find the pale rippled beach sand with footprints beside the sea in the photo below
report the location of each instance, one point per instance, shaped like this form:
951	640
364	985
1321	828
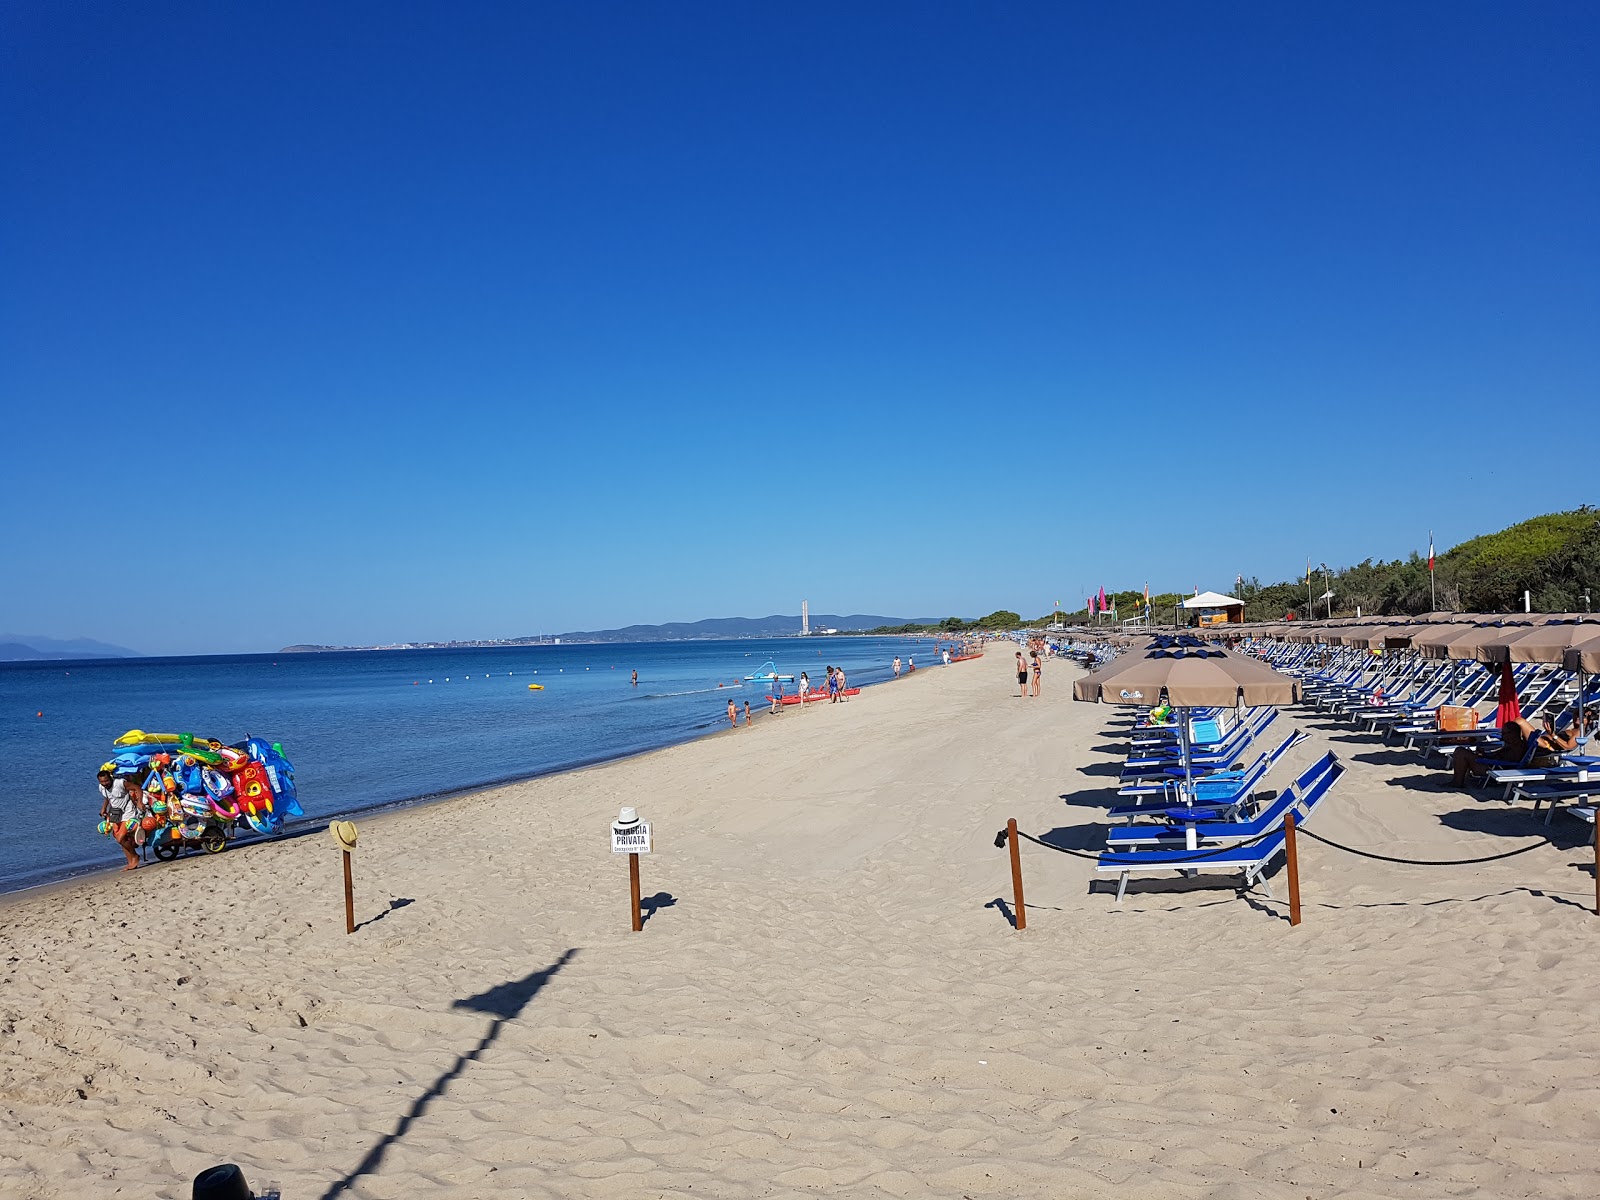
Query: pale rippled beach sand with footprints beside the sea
828	996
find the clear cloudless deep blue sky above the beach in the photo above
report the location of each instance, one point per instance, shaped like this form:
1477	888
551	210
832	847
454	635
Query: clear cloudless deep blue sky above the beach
369	322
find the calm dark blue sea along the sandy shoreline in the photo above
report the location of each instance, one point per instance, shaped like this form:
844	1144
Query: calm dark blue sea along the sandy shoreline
377	729
